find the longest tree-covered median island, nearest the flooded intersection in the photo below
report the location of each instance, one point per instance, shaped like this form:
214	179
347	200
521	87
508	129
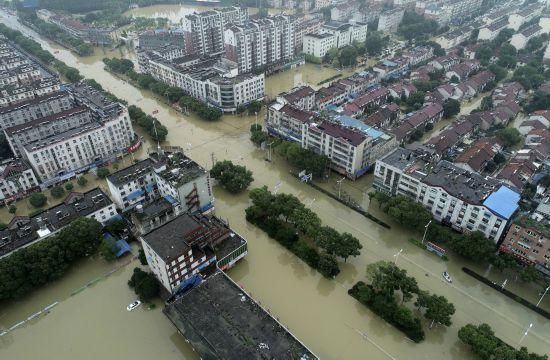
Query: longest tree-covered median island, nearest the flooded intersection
284	218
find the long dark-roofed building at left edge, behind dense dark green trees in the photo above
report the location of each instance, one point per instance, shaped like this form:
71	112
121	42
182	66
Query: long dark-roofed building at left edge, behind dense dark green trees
25	230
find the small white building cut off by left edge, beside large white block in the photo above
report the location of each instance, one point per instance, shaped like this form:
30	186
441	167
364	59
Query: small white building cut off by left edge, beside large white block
16	180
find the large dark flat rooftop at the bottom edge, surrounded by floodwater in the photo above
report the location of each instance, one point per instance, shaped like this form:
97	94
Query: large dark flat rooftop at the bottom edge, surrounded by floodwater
223	322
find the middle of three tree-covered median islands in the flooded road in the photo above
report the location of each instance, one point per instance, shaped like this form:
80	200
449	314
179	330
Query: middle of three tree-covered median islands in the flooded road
388	283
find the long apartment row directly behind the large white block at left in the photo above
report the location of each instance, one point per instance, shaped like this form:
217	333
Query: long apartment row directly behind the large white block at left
20	135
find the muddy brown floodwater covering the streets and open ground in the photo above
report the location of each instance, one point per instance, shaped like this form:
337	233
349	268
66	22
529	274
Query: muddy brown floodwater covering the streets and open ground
94	324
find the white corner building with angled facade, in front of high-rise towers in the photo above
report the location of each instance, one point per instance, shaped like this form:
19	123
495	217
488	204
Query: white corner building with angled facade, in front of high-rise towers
214	82
